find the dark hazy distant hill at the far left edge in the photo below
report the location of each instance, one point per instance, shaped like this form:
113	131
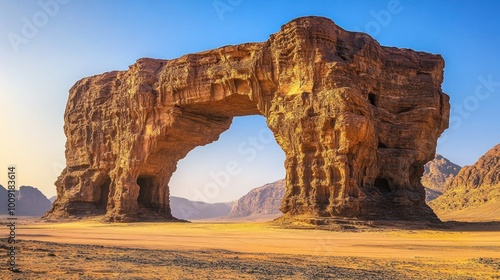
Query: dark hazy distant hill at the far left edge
30	202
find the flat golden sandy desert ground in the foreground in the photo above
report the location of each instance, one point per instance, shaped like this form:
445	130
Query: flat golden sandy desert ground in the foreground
93	250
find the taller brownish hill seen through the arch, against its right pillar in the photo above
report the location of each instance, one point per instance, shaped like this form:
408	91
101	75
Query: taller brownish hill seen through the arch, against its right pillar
265	200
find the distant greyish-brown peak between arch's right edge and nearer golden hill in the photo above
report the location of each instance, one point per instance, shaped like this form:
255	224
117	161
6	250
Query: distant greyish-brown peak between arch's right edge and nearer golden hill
437	173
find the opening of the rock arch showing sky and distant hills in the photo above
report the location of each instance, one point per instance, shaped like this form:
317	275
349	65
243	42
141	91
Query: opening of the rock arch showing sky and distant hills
245	156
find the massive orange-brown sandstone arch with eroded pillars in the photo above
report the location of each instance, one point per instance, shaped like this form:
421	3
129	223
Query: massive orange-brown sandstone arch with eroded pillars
357	122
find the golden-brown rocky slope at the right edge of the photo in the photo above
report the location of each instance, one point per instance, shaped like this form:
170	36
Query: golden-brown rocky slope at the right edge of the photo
473	188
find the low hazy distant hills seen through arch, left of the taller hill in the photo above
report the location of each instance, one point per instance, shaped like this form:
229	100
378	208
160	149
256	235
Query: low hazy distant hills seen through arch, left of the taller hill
186	209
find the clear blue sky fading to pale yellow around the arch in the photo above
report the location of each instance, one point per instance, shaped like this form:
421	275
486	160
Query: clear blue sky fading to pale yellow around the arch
47	45
